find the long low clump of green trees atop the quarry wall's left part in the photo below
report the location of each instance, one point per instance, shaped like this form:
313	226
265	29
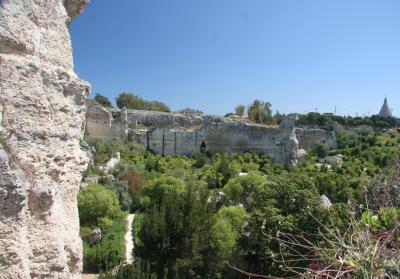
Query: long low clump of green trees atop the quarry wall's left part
132	101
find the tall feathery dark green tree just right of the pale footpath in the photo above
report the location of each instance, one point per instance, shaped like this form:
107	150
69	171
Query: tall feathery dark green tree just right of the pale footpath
175	231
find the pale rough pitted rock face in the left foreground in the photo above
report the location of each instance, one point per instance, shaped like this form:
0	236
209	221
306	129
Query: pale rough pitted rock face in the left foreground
42	113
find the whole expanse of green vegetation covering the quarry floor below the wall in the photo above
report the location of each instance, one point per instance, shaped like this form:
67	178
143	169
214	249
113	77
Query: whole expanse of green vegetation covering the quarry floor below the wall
217	215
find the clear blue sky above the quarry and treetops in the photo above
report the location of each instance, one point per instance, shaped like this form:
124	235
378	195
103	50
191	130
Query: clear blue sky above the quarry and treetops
214	54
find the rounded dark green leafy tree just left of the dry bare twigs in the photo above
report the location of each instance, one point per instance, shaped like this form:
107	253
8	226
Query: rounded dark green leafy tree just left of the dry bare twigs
284	205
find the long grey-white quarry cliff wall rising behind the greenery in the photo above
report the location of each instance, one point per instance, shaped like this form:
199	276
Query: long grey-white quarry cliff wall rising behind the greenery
171	133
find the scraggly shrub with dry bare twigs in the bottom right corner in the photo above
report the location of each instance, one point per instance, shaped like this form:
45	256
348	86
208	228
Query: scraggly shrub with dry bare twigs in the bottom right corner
361	250
